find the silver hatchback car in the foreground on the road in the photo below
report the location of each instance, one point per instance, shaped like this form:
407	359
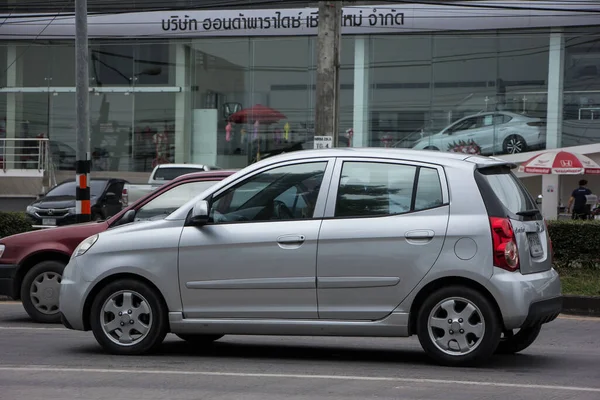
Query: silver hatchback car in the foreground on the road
339	242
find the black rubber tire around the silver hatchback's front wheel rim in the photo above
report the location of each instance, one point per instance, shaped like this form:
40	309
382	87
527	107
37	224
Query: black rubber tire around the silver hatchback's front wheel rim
159	325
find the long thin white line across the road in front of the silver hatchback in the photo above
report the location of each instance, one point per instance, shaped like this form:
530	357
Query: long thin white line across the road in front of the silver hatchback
297	376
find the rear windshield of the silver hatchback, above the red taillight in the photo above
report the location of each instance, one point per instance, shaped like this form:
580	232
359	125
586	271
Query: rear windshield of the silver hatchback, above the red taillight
508	189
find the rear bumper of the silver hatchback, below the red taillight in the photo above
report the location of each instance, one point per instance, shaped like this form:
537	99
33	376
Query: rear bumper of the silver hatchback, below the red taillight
526	299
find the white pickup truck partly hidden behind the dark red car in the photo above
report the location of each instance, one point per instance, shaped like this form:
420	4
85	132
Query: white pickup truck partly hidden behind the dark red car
160	175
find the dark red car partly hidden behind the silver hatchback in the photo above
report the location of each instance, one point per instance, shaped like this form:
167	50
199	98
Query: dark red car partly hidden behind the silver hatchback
31	263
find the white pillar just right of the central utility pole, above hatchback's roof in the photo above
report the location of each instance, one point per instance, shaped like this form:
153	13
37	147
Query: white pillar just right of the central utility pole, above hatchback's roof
362	94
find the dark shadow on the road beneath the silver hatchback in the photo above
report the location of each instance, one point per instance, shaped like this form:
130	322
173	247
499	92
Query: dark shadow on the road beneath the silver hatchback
228	348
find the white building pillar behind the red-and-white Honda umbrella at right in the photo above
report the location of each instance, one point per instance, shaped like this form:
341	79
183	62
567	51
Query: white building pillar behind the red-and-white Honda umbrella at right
556	61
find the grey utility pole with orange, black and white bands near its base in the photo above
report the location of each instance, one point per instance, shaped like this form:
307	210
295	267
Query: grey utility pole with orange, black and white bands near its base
83	163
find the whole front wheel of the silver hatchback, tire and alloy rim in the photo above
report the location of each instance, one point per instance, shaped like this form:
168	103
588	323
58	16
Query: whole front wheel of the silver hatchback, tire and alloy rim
129	317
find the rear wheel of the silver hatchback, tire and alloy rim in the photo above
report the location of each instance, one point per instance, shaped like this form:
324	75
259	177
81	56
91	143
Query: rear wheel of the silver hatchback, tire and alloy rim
458	326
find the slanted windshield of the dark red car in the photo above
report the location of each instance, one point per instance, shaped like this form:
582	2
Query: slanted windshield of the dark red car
169	201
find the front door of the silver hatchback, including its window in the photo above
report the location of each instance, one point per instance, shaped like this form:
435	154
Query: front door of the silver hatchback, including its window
257	256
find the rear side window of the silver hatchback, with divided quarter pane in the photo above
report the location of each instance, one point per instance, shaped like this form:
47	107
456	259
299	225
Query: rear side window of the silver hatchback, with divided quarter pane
378	189
